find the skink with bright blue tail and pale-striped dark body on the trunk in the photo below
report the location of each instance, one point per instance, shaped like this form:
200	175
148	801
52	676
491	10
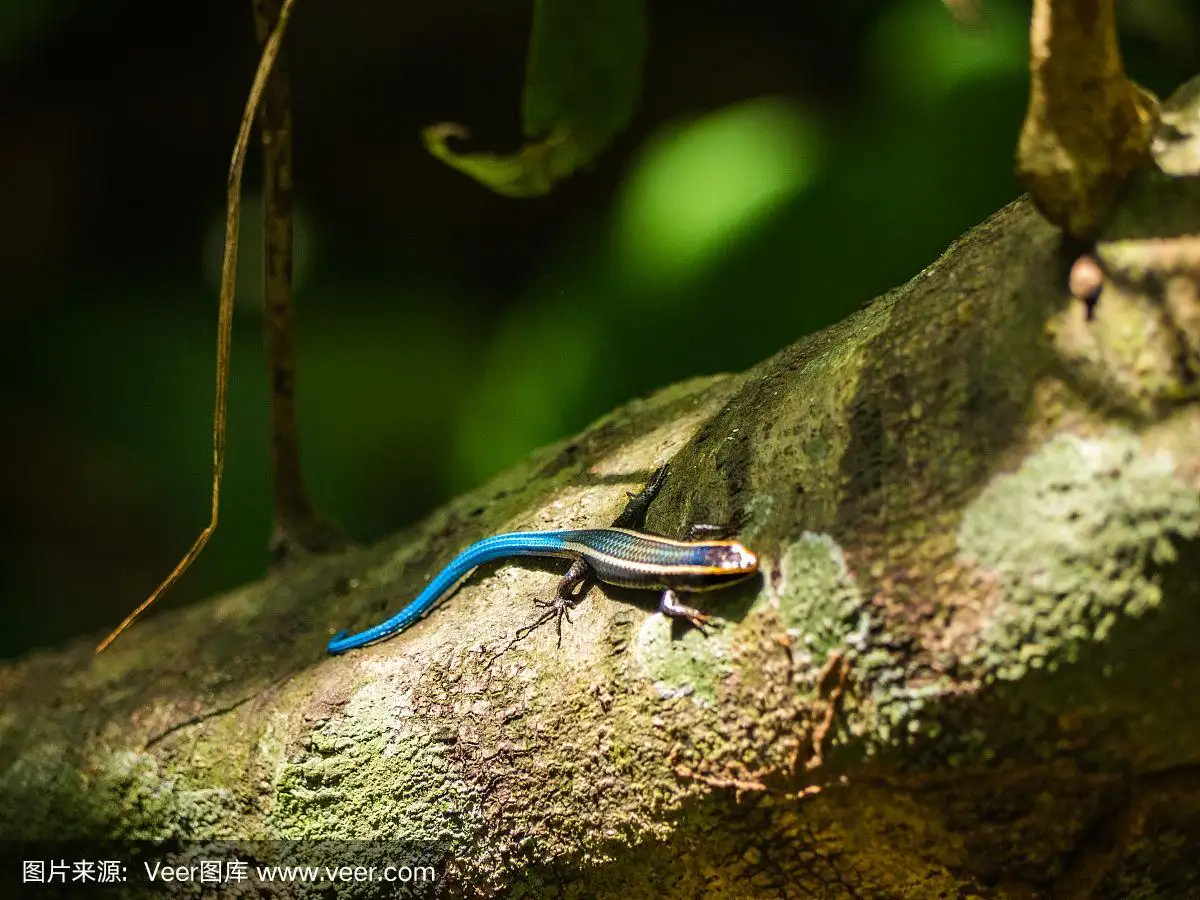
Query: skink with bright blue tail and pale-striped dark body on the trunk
621	555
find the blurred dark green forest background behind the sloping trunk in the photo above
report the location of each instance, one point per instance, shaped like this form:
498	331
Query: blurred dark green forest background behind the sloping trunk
789	163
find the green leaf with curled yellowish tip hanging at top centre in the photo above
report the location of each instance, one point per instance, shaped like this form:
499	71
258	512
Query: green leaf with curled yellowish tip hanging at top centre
583	83
